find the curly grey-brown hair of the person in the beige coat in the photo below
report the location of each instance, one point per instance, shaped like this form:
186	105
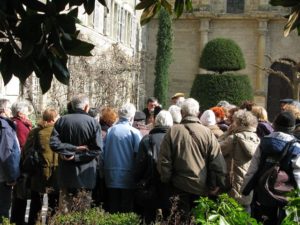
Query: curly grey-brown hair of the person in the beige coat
244	118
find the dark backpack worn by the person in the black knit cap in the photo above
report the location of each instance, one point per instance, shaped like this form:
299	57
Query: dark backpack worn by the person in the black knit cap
274	182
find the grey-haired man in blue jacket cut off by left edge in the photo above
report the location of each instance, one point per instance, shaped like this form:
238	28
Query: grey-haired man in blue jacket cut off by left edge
9	158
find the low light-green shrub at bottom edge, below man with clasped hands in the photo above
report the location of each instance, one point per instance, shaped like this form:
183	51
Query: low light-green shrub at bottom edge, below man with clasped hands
95	216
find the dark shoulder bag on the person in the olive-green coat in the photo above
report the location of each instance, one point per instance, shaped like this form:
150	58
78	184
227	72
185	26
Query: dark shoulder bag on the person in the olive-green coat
32	160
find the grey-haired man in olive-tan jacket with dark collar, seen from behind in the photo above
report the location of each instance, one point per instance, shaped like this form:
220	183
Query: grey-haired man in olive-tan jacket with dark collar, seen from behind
190	156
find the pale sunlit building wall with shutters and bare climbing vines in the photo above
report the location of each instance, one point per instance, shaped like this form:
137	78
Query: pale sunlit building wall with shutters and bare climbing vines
116	34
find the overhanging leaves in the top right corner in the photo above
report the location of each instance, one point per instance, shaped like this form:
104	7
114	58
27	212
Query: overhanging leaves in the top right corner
293	17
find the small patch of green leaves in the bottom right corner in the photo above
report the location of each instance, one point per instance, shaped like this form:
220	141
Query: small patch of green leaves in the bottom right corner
292	209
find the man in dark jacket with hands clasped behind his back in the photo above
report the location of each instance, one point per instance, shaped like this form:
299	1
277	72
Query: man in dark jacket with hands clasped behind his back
77	139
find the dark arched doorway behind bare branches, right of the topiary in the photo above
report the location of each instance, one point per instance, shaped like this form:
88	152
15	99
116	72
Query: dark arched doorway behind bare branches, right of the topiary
278	88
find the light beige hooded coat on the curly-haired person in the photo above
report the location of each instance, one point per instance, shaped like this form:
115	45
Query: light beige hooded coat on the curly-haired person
238	150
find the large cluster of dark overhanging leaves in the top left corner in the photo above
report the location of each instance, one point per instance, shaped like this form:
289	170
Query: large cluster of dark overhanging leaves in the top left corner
38	37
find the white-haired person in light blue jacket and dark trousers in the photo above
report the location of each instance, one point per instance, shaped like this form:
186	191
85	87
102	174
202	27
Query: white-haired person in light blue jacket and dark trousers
121	144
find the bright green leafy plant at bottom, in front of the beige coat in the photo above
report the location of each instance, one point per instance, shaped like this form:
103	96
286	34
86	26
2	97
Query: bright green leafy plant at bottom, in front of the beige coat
223	211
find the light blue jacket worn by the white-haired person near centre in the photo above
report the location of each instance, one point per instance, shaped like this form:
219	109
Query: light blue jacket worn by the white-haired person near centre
121	145
